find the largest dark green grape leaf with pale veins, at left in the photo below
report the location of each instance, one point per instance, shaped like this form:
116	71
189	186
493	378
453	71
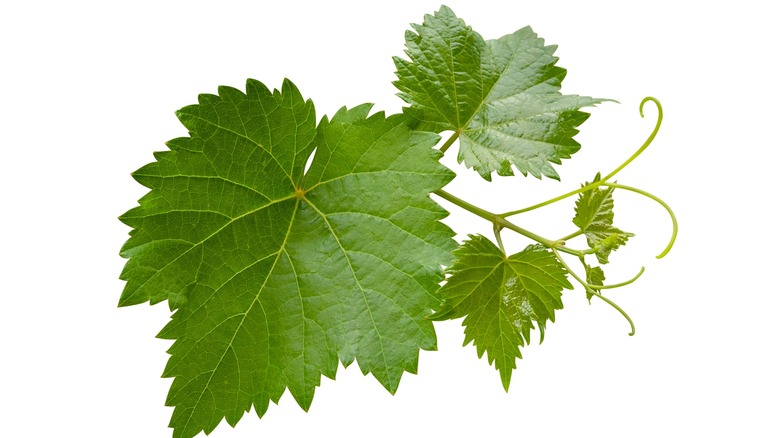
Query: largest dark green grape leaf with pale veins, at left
277	274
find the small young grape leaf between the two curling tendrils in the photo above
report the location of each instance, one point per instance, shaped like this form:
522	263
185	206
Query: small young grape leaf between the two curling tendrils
594	215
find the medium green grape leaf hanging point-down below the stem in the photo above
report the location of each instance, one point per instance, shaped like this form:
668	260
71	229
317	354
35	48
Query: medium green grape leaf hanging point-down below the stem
501	298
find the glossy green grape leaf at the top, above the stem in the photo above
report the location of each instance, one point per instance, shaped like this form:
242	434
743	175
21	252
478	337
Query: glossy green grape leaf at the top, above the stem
501	96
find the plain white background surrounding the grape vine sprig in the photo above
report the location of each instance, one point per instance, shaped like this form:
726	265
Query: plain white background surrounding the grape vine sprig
89	91
